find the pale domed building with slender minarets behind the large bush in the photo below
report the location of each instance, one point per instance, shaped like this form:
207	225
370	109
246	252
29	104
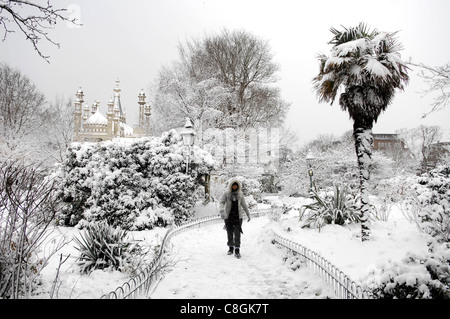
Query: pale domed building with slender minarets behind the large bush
92	126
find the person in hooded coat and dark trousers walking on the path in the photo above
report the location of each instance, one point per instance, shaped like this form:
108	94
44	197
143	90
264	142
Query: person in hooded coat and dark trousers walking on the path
232	205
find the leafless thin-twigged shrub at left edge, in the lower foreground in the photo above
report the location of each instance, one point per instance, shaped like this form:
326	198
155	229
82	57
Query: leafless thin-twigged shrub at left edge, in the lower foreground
28	204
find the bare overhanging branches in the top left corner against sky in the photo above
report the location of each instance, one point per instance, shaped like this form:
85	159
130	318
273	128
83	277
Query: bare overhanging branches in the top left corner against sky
32	19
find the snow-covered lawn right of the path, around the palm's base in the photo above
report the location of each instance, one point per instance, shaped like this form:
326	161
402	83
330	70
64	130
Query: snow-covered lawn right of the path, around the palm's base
390	241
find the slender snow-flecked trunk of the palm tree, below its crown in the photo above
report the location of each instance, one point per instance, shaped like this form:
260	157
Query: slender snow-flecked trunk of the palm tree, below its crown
363	146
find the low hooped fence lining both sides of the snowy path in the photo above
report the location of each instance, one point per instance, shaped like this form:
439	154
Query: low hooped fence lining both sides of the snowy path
140	285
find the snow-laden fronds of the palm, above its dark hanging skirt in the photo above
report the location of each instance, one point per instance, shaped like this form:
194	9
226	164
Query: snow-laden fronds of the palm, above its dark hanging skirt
360	57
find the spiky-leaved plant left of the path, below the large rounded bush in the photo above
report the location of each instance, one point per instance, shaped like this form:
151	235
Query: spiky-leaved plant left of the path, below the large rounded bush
102	246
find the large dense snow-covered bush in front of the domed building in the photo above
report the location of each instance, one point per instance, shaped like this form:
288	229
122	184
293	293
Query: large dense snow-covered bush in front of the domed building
135	184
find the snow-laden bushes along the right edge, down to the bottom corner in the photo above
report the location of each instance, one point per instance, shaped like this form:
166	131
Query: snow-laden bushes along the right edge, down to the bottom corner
426	275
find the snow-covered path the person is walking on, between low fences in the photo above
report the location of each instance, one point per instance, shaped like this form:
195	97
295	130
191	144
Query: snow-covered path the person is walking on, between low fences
203	269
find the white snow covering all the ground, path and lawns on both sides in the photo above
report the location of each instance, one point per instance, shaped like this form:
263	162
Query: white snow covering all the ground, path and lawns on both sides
203	270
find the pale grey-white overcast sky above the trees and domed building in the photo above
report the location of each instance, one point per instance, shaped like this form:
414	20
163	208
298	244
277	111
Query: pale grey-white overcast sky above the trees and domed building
131	41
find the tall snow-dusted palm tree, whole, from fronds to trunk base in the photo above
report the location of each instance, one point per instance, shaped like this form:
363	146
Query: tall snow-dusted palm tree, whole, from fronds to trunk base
365	65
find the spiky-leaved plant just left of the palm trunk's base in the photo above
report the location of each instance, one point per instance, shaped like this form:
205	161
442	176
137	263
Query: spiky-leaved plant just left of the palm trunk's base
337	207
